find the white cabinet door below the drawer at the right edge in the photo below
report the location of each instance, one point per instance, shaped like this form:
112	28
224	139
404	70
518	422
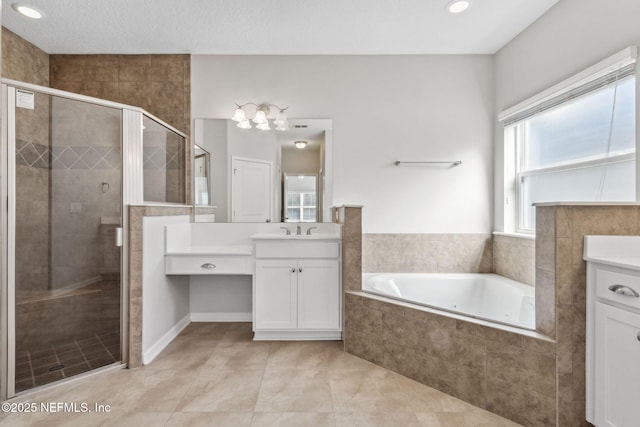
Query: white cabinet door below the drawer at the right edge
617	367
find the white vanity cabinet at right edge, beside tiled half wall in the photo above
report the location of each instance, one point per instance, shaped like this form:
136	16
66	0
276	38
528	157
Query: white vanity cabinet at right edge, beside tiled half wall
613	331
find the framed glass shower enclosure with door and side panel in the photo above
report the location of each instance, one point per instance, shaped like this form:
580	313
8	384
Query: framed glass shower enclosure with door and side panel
65	183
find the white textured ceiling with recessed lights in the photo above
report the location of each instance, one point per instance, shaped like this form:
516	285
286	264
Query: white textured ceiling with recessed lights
273	27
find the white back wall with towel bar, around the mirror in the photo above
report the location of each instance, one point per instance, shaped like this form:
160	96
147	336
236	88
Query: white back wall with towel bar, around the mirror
384	108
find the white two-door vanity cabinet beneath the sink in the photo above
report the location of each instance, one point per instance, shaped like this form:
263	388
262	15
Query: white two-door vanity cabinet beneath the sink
297	298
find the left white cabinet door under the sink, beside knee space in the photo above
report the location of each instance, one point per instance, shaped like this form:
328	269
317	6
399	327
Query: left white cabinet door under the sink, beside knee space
276	294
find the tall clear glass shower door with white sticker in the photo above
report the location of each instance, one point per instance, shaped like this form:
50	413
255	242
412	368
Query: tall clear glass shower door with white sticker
67	211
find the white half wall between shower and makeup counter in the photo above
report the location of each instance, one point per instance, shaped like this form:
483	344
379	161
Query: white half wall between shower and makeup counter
165	306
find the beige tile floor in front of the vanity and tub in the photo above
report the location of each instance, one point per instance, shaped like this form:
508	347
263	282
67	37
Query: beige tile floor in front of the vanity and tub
214	375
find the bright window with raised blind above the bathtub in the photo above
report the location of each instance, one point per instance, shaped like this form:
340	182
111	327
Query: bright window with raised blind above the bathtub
577	146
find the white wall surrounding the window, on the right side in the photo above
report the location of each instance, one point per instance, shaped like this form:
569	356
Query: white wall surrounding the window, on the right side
569	38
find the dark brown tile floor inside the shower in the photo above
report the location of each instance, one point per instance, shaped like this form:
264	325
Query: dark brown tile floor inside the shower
65	359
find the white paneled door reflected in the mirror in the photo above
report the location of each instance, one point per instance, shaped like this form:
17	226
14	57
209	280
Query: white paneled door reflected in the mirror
252	190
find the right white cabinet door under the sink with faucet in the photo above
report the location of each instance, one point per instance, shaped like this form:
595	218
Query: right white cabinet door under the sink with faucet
318	294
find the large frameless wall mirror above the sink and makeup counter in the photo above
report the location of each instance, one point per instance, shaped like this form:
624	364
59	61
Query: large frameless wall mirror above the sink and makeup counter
264	176
